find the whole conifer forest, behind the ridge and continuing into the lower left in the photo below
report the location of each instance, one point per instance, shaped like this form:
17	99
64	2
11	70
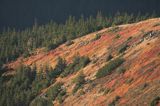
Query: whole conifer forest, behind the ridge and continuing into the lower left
22	88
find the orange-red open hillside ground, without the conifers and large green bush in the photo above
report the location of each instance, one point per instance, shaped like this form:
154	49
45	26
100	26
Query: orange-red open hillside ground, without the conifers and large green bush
138	85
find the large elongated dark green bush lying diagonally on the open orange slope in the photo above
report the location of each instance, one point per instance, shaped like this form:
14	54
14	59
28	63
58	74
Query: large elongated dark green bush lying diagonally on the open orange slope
108	68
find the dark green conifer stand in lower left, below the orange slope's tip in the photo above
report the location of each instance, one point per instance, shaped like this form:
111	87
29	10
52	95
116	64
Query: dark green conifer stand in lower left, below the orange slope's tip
27	83
